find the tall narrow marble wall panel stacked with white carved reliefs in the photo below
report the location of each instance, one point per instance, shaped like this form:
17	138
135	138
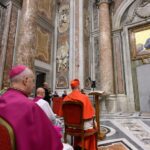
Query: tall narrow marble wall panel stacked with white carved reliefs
62	52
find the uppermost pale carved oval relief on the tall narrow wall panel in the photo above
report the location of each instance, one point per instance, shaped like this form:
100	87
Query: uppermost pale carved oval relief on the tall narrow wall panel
63	22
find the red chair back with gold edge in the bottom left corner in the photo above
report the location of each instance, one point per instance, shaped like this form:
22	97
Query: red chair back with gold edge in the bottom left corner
7	138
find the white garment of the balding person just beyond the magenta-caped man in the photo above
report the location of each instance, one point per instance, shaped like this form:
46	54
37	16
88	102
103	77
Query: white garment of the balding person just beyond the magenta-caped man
48	111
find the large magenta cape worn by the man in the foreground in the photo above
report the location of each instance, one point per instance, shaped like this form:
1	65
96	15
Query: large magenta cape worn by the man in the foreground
33	130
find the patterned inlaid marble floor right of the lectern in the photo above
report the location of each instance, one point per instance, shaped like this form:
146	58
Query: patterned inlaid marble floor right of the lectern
125	131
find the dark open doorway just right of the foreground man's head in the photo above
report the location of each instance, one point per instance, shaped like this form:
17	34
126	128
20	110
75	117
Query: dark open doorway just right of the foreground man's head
40	79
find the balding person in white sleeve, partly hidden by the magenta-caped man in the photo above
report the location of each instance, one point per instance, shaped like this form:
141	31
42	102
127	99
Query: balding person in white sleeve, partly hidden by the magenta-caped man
40	93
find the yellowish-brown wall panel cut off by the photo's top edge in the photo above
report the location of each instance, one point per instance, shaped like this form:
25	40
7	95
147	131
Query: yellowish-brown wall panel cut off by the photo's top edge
46	7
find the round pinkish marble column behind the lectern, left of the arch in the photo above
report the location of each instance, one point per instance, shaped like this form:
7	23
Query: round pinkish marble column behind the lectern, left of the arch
105	45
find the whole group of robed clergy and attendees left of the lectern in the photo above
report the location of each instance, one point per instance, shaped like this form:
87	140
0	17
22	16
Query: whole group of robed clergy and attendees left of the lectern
34	123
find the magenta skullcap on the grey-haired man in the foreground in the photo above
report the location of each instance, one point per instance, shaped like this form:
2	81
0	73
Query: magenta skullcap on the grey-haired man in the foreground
16	70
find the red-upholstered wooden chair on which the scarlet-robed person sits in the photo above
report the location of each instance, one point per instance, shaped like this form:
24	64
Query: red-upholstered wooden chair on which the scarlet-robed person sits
74	122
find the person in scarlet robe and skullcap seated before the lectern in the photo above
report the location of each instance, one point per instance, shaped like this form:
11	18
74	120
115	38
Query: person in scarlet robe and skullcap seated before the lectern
88	113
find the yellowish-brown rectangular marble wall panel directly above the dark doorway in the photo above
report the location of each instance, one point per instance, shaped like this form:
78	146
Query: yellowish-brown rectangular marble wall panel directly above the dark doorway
43	44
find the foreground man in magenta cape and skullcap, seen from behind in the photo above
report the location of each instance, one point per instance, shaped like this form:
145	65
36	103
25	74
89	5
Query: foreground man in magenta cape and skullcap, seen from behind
33	130
